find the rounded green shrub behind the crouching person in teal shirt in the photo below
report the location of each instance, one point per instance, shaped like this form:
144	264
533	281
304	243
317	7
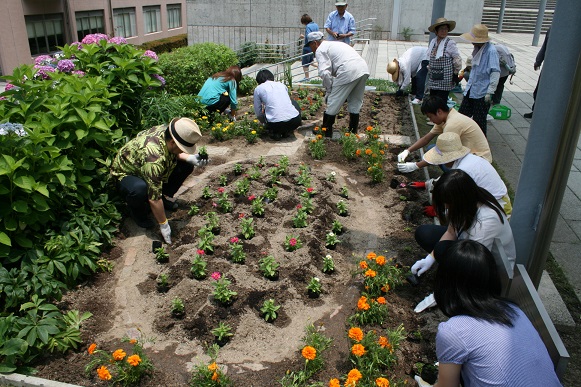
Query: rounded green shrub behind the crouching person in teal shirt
186	69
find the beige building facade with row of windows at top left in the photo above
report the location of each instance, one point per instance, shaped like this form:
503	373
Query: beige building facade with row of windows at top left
29	28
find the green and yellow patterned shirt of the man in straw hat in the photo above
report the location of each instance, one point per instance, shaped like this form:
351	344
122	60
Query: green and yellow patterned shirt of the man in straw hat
147	157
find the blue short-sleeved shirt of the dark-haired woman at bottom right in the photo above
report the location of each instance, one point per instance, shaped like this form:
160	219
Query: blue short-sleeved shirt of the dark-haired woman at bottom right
497	355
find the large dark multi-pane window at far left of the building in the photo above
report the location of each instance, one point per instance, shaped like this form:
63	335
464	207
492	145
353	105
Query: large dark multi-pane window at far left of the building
45	33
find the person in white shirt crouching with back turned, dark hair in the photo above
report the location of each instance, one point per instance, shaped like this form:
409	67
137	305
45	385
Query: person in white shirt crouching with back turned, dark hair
273	106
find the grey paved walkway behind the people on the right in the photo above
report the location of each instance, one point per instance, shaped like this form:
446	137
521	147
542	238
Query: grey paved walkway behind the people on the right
508	140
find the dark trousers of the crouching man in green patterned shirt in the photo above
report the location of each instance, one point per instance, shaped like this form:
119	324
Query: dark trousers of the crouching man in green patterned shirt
134	189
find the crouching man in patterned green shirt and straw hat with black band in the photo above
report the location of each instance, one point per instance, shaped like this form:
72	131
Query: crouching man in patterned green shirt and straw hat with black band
153	166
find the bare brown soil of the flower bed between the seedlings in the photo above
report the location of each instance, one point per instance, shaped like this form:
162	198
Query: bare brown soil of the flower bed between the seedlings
260	353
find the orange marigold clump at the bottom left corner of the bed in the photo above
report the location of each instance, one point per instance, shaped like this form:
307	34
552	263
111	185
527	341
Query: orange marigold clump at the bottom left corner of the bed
119	367
